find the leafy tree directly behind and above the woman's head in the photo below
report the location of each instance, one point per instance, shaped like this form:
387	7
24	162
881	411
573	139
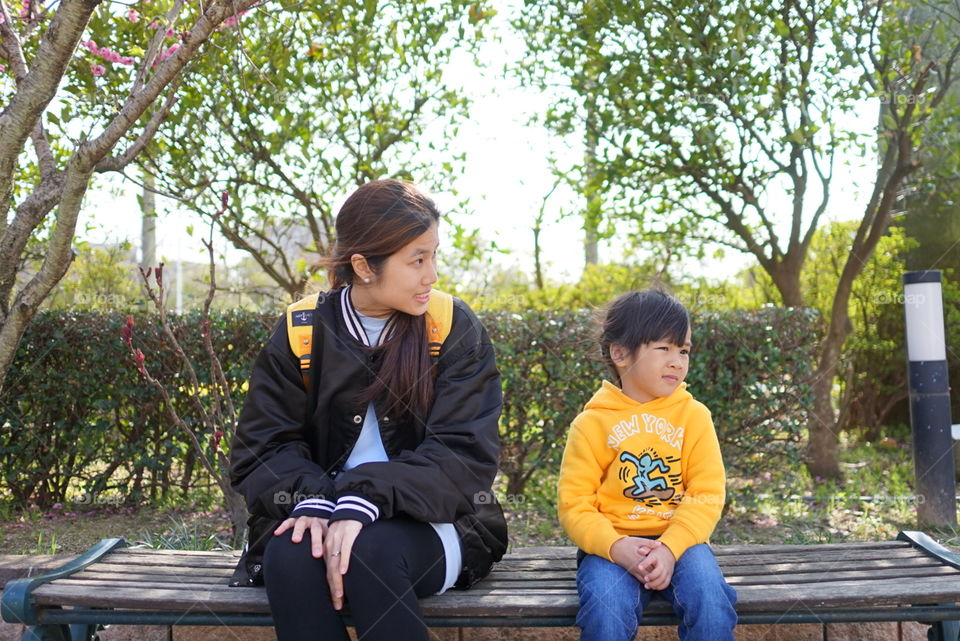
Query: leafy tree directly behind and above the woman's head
327	98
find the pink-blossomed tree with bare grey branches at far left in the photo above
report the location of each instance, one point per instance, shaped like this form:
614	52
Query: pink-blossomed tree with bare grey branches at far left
67	113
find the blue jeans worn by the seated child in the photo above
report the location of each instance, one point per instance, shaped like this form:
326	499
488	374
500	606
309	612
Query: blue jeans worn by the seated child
612	600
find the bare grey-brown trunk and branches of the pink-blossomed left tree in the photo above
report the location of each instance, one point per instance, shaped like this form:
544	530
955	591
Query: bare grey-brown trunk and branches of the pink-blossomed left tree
67	188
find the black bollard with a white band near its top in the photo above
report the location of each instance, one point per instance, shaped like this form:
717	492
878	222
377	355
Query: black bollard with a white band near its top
929	399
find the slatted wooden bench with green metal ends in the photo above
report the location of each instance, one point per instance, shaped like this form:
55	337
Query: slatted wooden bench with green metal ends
910	579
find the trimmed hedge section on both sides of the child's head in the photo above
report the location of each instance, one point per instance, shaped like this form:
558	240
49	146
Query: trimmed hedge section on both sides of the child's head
752	370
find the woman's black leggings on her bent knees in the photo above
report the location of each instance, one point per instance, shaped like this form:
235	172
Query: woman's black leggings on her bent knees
393	562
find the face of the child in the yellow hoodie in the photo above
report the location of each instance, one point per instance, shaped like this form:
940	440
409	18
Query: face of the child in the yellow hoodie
655	370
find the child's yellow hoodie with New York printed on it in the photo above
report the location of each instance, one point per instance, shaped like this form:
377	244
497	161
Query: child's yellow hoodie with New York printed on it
642	469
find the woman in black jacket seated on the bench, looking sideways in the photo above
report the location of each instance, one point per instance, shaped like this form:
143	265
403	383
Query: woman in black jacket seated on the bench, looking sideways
374	471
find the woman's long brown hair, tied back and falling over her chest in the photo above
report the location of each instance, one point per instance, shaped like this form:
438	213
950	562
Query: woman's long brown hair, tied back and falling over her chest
376	221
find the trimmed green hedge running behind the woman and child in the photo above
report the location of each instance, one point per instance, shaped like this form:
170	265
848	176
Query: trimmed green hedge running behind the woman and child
78	421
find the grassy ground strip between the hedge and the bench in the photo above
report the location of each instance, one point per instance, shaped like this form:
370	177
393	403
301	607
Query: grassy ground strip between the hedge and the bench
874	501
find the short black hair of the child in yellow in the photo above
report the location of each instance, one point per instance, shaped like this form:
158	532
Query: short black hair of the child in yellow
642	317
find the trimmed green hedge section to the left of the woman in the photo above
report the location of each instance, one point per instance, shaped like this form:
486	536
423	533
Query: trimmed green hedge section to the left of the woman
79	423
